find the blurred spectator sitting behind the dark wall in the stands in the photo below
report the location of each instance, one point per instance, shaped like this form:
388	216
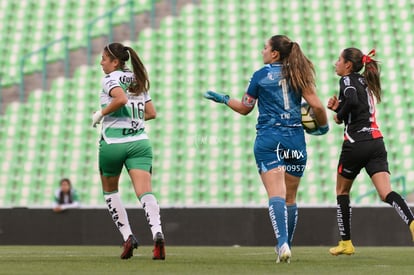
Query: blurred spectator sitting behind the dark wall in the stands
65	196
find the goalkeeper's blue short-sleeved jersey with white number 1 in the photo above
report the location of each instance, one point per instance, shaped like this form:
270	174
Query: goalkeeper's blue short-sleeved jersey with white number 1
279	105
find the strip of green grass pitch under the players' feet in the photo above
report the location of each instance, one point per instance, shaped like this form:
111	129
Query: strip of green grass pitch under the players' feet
202	260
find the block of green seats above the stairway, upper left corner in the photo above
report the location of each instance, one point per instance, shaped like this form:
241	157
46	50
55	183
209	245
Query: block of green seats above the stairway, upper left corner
28	25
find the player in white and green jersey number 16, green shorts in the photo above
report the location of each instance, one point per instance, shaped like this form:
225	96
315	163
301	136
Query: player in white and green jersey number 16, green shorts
125	105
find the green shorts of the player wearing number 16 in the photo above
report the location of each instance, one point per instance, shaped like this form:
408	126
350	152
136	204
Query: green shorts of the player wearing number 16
134	155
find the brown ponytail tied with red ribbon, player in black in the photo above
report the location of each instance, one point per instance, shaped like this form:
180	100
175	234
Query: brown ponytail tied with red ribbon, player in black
371	72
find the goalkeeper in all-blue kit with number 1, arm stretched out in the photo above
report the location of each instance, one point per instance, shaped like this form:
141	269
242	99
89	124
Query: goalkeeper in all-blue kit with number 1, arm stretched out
280	147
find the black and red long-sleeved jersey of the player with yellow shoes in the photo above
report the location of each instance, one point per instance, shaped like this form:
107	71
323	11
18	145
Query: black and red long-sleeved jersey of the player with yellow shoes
357	109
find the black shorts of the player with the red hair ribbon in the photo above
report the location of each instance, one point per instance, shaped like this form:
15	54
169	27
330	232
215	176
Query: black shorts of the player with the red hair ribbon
368	154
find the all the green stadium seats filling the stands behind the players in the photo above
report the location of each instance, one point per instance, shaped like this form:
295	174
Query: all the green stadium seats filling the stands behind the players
203	153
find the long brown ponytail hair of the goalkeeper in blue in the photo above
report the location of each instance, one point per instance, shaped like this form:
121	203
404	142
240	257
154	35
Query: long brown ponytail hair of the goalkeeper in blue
297	68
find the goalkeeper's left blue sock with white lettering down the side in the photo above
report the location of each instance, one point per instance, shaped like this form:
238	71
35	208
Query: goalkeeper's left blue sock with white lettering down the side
278	218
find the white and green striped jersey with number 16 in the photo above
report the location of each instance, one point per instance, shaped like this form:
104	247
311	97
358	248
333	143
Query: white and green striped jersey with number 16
127	123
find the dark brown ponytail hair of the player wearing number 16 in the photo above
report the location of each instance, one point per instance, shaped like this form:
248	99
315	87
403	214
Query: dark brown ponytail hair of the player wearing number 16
122	53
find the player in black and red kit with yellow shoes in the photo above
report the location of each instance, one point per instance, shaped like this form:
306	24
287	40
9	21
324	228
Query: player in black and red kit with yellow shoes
363	145
